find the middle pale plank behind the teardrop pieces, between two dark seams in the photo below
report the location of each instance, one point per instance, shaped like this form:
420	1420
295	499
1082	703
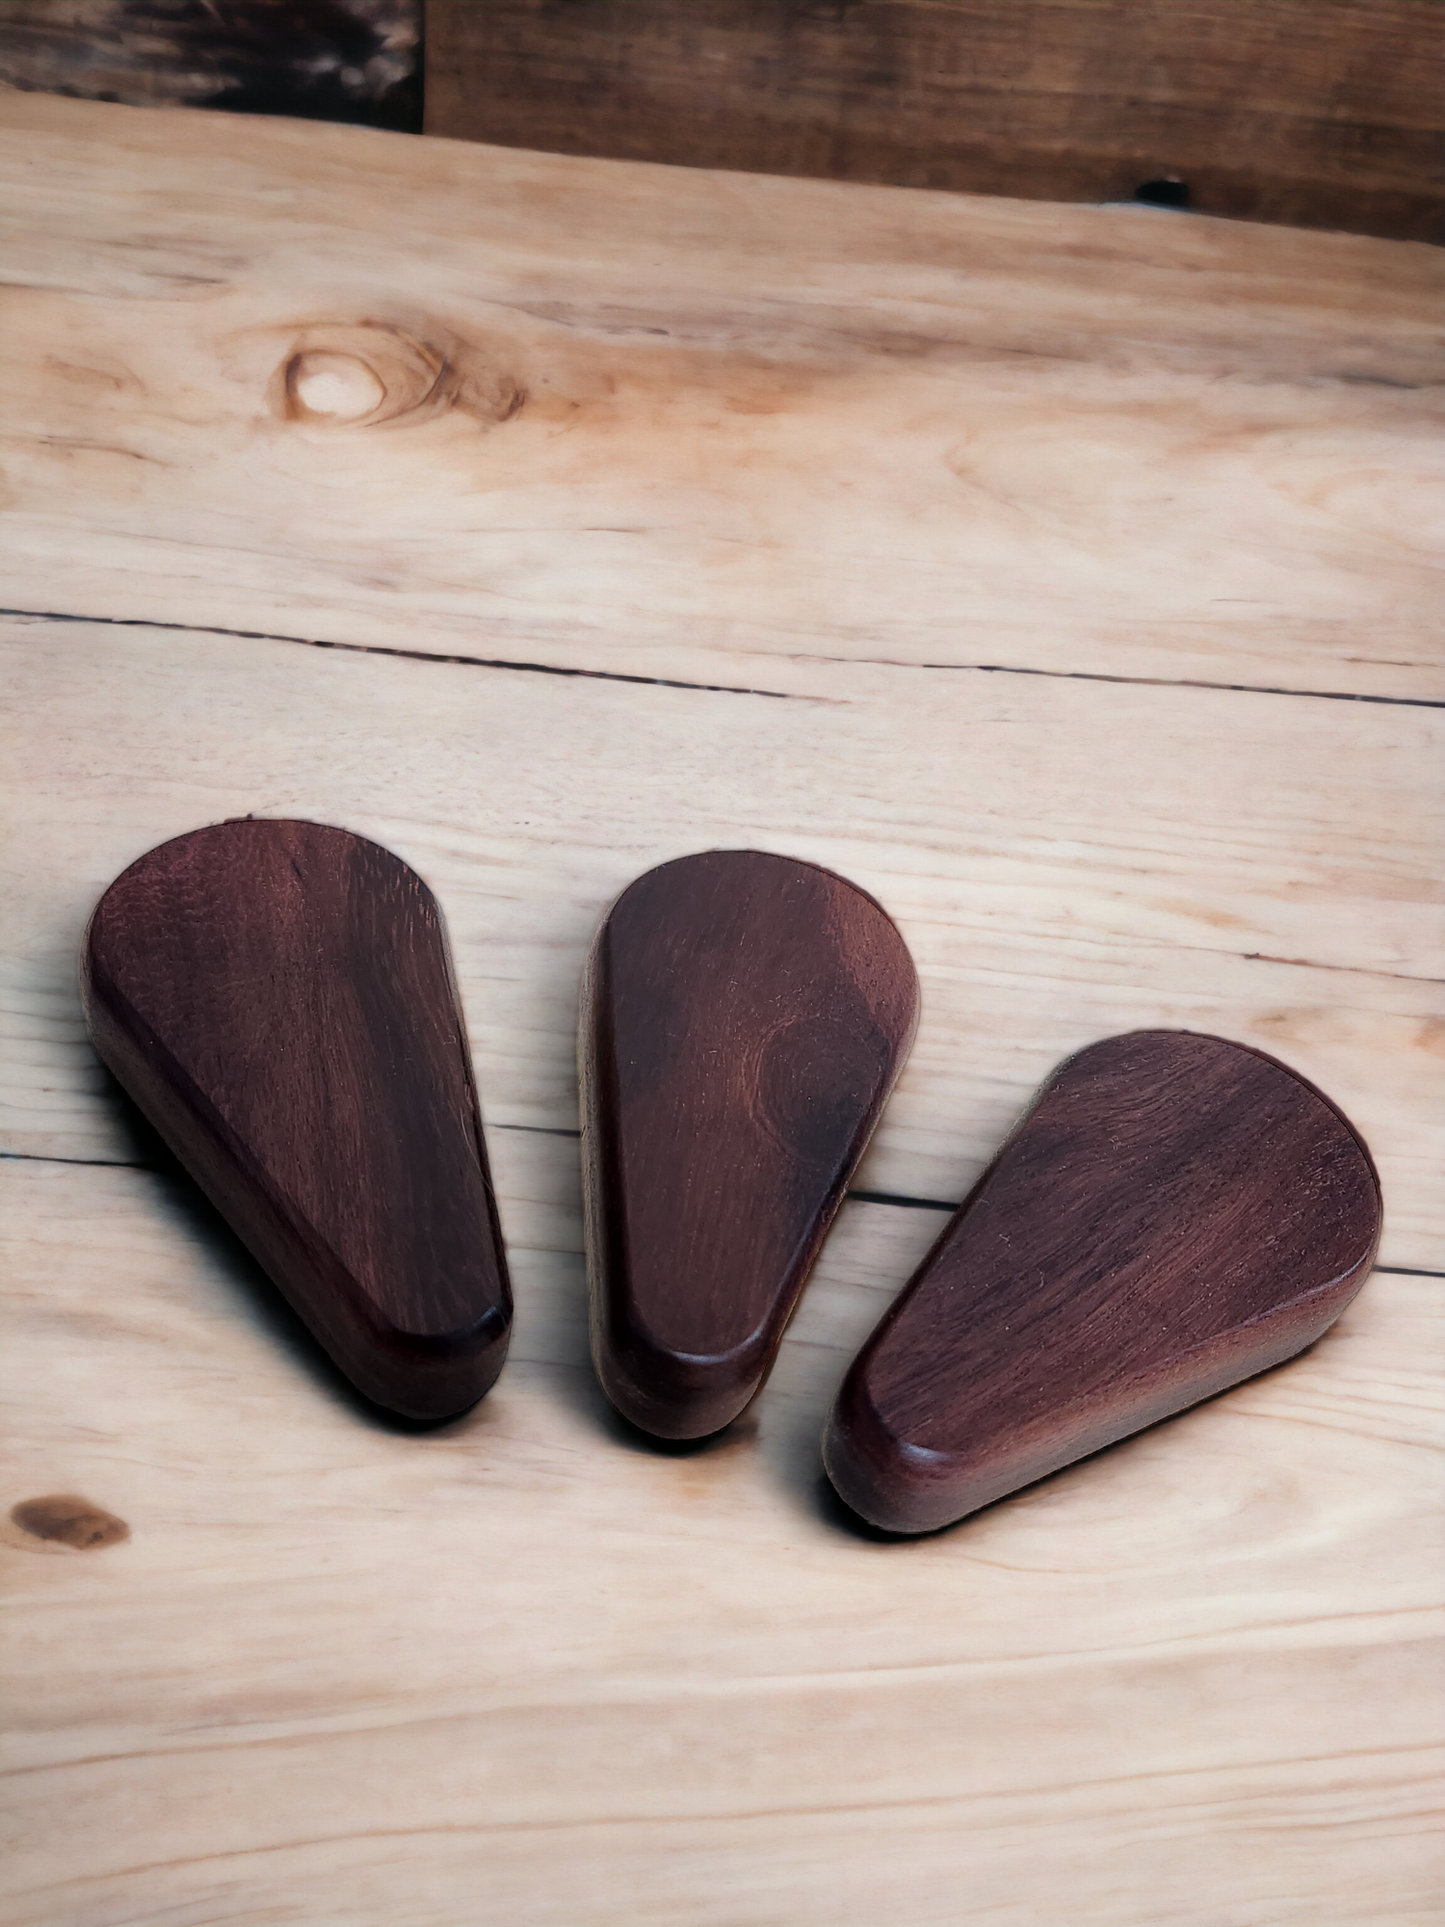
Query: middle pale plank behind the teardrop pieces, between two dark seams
1066	860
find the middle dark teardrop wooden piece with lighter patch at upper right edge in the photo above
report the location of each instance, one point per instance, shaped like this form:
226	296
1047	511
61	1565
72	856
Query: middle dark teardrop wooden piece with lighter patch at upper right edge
743	1022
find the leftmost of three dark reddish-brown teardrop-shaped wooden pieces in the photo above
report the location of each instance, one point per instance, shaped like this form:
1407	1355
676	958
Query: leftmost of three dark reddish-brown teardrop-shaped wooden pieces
278	1001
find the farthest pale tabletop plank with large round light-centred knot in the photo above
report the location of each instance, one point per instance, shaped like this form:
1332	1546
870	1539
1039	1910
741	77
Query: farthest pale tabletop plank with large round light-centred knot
706	427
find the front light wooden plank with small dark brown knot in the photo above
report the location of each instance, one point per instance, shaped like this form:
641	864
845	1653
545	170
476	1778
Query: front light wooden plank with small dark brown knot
525	1672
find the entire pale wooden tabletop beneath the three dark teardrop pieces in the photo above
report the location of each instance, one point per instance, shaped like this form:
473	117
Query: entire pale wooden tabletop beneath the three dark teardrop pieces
527	1672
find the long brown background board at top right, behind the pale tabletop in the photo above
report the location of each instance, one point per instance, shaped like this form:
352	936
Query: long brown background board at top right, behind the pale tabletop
1319	117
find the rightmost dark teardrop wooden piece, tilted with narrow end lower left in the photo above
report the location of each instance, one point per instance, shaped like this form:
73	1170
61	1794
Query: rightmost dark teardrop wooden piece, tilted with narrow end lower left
1174	1215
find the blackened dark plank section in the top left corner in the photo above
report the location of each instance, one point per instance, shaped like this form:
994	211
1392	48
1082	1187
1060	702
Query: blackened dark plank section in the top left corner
350	61
